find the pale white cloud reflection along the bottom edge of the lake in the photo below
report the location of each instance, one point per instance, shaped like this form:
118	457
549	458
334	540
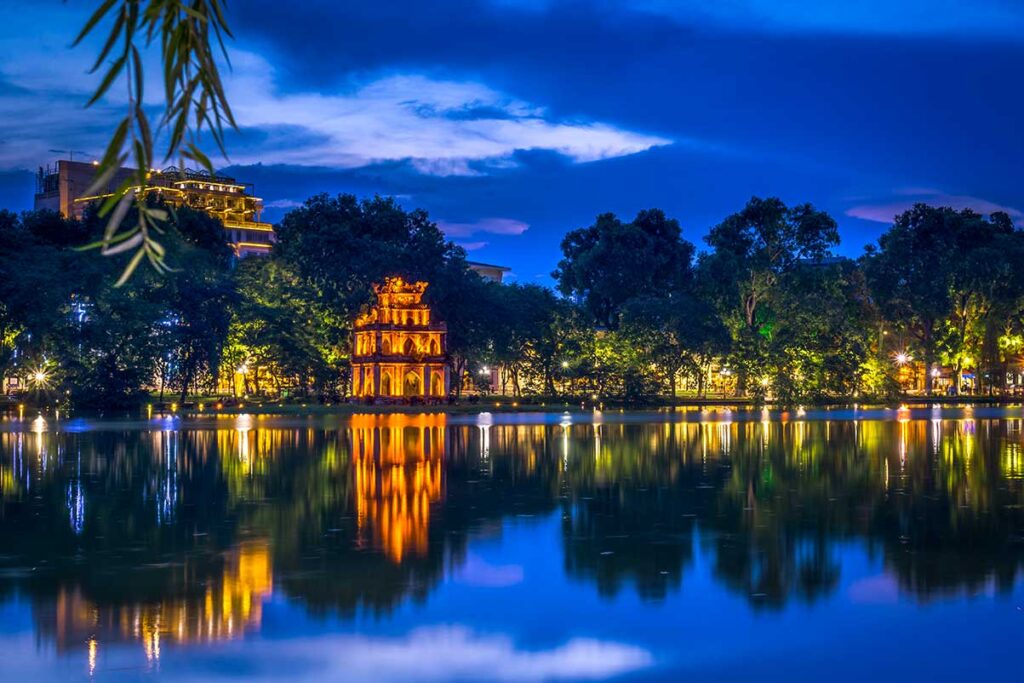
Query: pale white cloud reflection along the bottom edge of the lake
430	655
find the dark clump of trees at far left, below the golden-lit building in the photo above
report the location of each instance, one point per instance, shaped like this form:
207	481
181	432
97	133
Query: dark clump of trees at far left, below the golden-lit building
105	345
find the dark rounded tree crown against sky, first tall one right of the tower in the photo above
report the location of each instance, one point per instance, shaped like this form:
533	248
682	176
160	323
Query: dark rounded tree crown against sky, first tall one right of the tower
609	264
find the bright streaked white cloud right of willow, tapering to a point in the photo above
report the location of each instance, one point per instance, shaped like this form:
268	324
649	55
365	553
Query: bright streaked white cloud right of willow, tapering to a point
442	127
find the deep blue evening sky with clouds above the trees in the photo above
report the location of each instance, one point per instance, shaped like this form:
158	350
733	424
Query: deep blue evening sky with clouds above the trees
516	121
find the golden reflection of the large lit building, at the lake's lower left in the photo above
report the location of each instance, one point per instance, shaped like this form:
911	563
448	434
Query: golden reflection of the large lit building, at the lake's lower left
227	609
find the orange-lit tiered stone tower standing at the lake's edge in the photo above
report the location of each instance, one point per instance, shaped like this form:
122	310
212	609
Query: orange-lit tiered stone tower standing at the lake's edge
399	352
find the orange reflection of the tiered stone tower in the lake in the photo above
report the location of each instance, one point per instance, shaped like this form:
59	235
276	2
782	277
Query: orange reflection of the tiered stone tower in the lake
399	464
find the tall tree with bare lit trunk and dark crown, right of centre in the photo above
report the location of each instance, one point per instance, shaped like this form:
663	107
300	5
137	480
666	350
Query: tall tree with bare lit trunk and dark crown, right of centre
753	249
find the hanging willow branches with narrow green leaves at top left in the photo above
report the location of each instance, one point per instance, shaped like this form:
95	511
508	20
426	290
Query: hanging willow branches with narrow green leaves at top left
194	103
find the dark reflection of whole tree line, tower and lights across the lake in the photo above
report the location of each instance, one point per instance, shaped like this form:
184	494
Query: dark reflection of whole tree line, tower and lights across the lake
170	537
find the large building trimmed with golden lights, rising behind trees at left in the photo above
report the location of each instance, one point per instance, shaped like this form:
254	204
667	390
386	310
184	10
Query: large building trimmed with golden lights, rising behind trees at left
63	188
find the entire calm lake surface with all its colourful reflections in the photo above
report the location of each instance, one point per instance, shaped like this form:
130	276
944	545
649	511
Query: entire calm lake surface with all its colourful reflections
709	546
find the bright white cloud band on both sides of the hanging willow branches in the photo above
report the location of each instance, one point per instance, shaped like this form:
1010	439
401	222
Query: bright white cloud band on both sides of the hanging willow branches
439	127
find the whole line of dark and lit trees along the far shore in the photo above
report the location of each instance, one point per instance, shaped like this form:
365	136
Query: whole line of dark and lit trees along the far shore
764	309
